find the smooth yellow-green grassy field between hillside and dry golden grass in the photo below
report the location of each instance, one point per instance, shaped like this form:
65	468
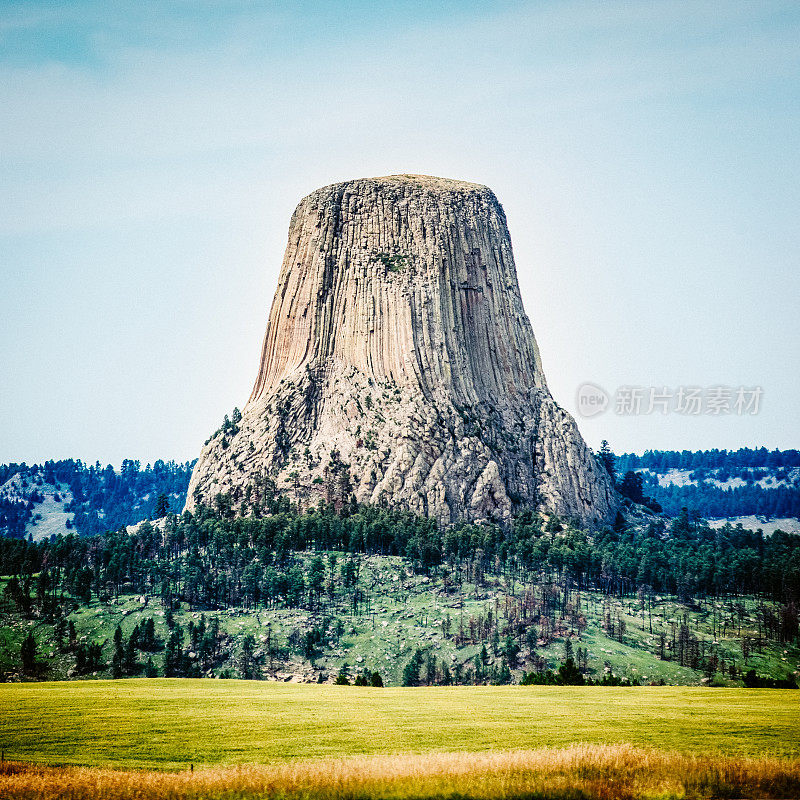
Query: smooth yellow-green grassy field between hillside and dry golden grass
169	724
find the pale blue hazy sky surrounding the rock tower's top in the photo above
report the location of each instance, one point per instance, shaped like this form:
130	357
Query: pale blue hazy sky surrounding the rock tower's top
647	155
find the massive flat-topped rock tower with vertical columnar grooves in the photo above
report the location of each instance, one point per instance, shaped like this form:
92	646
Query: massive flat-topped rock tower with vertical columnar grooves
399	366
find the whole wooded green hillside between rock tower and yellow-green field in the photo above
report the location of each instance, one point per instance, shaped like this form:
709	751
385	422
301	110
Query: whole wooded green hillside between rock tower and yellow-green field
306	597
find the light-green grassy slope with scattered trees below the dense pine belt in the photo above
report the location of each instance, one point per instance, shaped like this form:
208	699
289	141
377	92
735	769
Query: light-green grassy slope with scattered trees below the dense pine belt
383	637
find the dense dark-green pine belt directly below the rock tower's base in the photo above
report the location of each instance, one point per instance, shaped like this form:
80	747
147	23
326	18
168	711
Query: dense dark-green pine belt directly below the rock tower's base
211	560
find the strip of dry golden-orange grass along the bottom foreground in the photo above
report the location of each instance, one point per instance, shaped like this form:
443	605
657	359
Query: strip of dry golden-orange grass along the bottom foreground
580	772
